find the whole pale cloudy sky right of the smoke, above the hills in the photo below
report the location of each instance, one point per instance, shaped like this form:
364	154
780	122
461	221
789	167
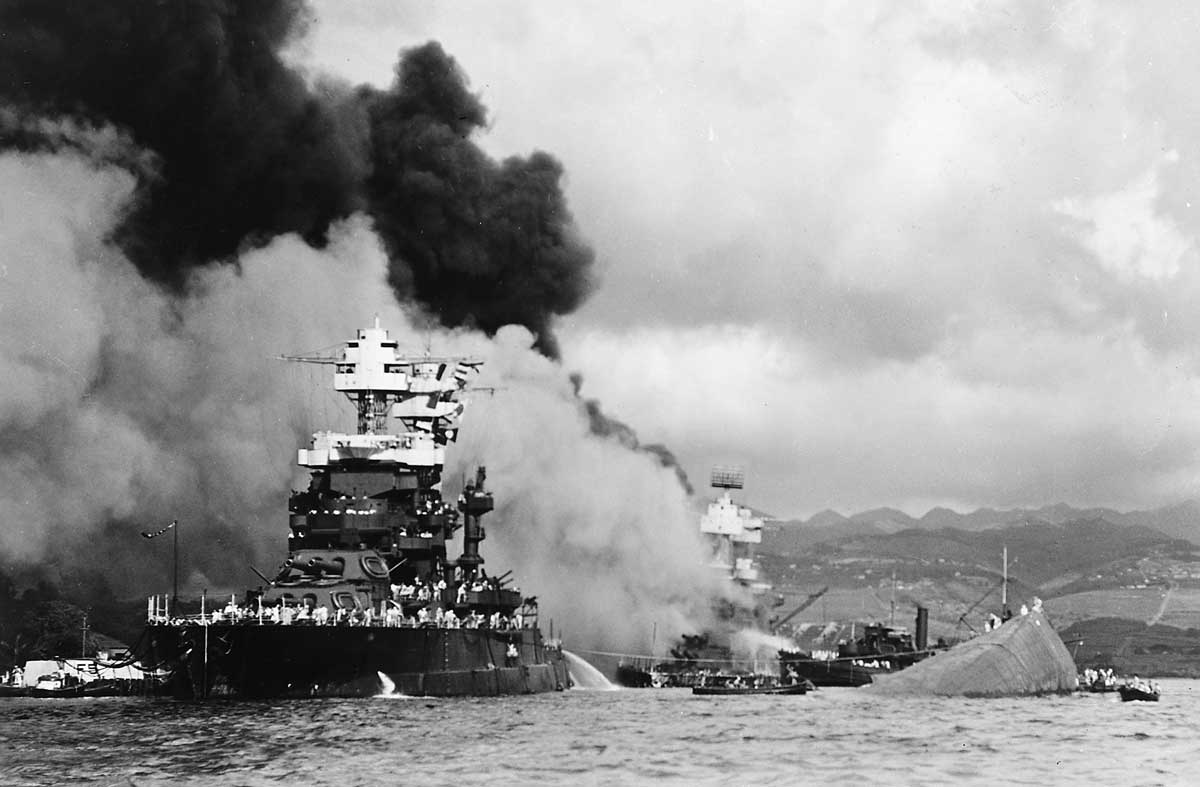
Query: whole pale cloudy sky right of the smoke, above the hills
931	255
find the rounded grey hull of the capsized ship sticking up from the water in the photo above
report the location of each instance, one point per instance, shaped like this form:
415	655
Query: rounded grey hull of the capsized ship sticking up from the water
1024	657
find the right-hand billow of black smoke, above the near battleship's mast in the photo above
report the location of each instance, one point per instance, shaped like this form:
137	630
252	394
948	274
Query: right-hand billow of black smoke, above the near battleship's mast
481	242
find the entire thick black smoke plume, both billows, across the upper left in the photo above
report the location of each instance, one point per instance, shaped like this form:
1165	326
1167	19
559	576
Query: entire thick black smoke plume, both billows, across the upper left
245	151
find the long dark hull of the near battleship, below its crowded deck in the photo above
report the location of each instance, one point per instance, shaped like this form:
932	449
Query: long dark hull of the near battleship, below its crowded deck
253	662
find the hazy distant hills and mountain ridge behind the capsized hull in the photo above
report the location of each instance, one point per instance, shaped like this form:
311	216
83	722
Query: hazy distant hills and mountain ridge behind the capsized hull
1084	563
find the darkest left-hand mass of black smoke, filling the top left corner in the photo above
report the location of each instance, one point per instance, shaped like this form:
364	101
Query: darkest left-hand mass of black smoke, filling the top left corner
245	152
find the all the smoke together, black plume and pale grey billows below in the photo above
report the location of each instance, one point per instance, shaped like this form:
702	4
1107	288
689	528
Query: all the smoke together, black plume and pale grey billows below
178	208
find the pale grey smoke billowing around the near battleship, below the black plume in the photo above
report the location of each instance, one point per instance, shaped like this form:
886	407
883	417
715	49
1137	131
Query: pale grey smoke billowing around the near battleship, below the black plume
124	407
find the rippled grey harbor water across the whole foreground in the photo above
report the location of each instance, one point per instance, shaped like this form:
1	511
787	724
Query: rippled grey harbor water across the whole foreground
597	737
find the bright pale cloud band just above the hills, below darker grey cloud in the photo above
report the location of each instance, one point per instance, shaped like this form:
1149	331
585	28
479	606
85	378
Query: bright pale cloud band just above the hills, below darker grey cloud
1015	416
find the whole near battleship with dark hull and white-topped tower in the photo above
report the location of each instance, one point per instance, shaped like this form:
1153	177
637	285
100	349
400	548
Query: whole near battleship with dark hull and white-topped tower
369	599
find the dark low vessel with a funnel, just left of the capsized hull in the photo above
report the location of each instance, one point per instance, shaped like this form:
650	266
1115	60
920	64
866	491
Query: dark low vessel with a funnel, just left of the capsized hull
883	650
